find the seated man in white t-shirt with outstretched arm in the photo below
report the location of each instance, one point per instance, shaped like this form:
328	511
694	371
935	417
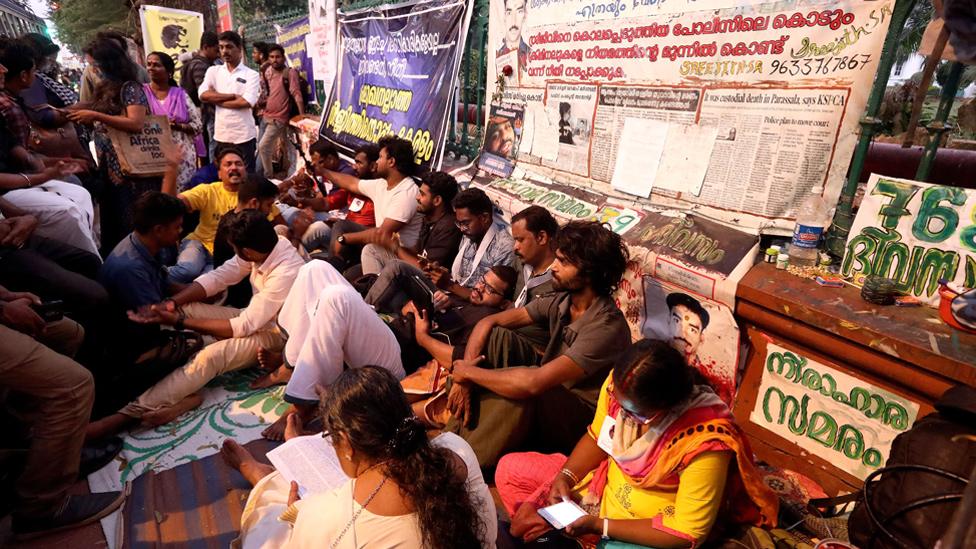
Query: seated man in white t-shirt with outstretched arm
394	195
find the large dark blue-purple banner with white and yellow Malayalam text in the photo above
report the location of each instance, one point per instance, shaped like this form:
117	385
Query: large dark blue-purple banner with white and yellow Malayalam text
397	72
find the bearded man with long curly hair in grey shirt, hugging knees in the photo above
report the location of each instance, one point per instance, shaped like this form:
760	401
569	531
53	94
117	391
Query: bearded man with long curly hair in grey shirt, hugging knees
503	393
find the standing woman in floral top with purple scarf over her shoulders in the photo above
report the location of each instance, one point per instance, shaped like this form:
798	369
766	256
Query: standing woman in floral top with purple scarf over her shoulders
167	99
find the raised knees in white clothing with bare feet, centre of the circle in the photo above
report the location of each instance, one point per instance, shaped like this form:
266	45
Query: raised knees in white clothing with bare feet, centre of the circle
329	328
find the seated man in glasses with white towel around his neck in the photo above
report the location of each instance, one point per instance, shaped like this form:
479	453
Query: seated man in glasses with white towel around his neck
483	246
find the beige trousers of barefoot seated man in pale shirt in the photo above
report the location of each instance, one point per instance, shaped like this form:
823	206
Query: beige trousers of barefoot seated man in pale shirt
213	360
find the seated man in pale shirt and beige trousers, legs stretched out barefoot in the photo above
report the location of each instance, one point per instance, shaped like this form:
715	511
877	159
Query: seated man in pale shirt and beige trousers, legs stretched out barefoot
273	265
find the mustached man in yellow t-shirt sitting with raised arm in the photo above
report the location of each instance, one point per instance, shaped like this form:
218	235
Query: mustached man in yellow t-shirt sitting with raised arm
212	200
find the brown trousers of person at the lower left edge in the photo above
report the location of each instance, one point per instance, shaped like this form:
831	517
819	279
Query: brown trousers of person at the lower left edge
54	394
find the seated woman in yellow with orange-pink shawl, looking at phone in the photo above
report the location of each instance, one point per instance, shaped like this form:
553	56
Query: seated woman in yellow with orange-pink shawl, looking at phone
662	458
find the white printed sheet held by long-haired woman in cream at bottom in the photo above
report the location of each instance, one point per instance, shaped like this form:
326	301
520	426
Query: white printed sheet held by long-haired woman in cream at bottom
310	461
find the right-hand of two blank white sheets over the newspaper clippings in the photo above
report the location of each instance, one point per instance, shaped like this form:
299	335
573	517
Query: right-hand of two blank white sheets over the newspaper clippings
687	150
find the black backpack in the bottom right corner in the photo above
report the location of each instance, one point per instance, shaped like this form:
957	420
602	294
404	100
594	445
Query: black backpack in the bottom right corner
911	501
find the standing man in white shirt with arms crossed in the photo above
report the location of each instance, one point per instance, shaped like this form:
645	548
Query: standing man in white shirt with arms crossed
234	89
